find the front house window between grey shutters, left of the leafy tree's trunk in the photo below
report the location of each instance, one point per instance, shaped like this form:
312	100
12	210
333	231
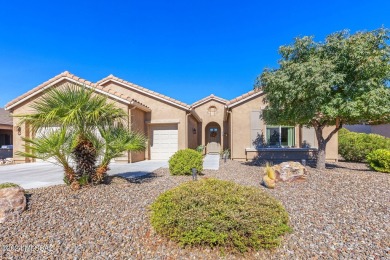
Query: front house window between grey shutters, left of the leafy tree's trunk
281	136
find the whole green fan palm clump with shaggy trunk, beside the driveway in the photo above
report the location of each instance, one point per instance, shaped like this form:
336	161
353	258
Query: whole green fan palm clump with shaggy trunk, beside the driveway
91	132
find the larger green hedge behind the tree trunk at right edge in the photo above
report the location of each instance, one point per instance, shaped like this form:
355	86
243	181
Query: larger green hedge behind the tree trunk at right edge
355	146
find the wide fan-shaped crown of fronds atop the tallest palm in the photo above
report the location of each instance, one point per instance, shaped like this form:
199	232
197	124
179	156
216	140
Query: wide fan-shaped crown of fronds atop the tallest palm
72	105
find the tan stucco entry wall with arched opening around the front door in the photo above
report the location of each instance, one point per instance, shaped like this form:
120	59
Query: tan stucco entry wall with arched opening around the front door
202	111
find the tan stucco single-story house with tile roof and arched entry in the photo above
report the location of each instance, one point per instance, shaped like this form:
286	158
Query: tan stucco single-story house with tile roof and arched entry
171	125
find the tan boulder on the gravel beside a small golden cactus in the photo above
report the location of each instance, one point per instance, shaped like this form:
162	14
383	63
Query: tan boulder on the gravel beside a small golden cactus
290	171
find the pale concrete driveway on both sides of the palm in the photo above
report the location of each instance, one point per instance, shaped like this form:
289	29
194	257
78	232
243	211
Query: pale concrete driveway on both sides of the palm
42	174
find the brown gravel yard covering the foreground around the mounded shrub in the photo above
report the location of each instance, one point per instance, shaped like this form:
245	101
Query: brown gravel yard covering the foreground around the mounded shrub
342	212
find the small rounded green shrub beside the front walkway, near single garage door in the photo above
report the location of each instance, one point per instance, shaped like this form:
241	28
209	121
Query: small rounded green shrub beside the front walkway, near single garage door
183	161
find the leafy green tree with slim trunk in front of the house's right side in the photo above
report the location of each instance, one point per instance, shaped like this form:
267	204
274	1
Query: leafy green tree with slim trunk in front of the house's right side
343	80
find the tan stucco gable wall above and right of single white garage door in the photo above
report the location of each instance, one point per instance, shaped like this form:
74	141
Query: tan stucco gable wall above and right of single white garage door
161	111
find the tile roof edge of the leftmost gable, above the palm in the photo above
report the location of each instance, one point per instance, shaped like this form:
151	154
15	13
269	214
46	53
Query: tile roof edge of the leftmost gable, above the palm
67	75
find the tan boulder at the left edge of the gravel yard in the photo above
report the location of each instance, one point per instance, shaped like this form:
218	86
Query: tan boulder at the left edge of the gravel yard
12	203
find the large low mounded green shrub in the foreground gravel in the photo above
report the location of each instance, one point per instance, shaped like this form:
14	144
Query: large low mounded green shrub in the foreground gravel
219	214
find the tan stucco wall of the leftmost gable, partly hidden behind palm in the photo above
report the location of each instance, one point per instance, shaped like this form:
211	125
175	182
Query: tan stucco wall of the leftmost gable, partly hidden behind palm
25	108
